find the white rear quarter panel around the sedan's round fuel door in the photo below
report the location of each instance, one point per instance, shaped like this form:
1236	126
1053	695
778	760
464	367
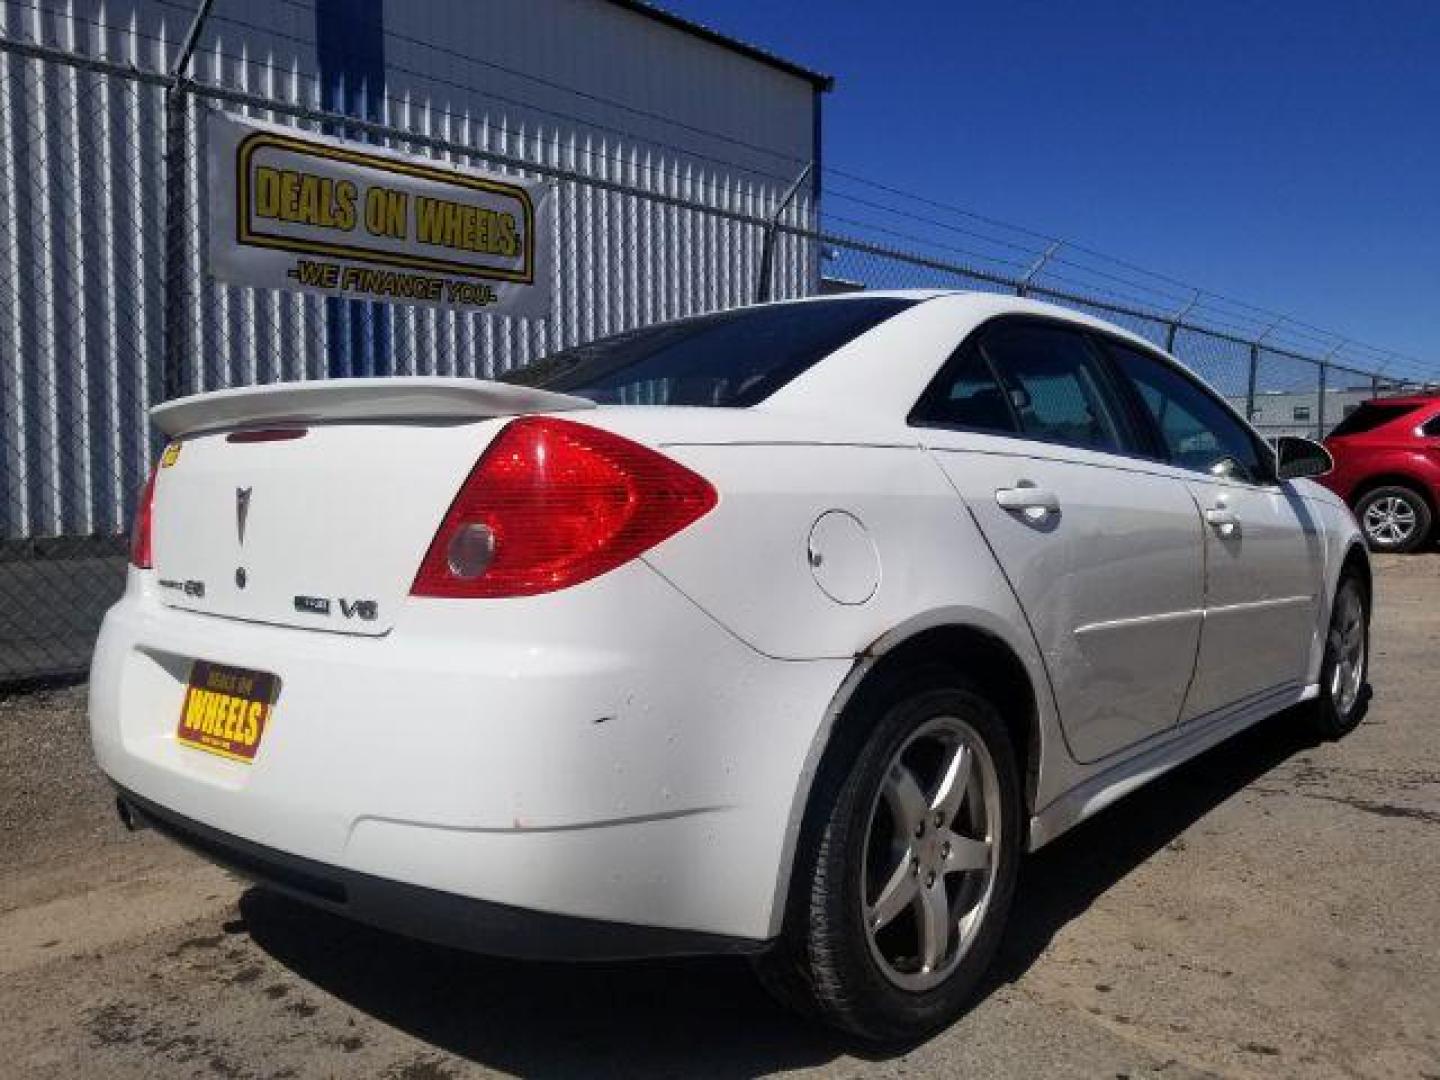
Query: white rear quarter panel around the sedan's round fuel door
748	564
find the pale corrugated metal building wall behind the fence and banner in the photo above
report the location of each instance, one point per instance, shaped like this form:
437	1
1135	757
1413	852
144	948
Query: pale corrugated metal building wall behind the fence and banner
580	86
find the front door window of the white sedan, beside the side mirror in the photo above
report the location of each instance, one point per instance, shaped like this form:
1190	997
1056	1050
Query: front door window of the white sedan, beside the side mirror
1199	431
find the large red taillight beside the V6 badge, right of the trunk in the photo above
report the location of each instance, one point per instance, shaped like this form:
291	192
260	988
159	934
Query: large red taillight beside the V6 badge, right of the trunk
552	505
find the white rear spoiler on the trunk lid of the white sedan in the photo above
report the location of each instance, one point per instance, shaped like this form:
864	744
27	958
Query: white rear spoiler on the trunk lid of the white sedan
411	398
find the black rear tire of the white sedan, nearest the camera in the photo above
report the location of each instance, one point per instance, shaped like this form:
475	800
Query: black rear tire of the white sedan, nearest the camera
824	966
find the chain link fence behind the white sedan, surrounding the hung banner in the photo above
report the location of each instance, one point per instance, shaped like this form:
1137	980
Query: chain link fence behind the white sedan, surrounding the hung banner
106	307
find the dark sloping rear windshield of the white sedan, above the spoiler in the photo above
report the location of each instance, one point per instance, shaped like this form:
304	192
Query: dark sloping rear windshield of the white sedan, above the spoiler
731	359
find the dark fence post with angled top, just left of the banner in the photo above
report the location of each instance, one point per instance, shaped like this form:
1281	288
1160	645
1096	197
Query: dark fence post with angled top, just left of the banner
176	161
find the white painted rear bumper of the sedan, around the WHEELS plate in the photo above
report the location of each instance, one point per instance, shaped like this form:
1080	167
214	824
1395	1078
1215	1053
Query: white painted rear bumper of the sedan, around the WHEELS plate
614	758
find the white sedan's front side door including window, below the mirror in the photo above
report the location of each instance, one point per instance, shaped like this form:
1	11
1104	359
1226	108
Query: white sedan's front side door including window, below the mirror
1264	549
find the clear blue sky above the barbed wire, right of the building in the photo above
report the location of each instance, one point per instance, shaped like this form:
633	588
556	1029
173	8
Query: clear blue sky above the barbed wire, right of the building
1287	153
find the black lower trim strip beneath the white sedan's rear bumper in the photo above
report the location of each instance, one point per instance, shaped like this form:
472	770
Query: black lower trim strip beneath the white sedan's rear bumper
427	914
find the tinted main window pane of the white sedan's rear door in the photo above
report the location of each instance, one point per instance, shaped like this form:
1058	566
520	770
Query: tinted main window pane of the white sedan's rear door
1056	385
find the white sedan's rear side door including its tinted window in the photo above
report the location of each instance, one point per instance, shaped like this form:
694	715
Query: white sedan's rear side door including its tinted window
1104	555
